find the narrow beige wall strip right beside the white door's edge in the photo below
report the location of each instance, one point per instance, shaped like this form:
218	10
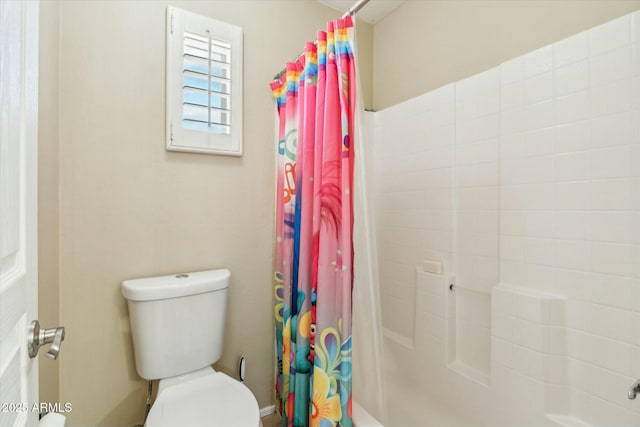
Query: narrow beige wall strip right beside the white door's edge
48	186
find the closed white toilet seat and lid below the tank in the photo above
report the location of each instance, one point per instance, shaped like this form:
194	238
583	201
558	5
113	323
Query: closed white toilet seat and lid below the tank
210	400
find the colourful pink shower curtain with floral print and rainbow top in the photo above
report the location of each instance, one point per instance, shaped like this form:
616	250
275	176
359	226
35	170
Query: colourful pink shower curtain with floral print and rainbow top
313	271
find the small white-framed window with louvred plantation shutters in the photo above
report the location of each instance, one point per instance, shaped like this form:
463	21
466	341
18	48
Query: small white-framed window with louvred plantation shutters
204	84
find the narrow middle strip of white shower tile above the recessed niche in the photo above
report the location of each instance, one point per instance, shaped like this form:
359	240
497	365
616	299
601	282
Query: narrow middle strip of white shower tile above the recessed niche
477	175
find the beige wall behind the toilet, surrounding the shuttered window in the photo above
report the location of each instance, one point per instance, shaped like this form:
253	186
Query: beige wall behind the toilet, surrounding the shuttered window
115	205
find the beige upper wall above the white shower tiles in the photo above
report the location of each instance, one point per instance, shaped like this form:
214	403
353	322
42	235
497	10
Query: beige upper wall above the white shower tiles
426	44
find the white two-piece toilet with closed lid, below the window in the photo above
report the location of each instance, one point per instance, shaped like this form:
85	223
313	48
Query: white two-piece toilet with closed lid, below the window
177	324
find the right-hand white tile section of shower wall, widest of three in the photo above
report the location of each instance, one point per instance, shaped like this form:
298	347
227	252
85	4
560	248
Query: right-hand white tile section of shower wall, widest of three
589	239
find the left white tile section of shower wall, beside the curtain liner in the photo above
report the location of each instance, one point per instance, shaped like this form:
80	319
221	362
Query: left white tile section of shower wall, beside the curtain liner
413	180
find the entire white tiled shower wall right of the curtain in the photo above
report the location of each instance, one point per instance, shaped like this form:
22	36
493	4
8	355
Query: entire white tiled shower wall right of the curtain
527	175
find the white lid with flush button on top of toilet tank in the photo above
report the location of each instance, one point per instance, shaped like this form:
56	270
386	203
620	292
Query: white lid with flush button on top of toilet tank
175	285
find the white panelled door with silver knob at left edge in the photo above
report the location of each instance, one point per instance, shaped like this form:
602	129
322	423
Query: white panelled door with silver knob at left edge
18	209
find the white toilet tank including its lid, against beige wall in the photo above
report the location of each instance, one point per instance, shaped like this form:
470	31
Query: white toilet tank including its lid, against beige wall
177	321
